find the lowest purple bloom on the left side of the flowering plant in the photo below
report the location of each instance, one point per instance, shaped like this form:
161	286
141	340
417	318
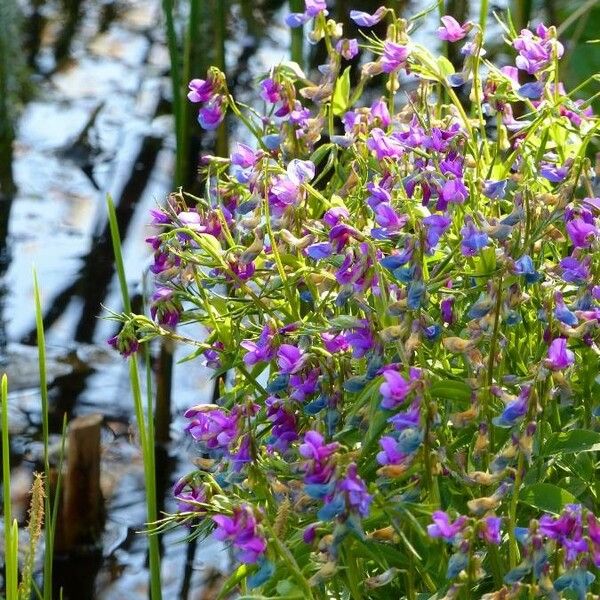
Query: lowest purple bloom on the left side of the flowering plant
242	531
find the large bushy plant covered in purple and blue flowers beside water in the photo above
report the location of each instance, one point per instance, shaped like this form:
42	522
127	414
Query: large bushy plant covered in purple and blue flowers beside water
401	303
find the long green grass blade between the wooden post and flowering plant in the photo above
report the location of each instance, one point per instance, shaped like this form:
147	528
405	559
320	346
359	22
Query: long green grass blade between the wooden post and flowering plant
144	417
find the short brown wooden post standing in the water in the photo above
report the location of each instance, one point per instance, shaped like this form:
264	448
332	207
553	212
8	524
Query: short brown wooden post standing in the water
82	512
